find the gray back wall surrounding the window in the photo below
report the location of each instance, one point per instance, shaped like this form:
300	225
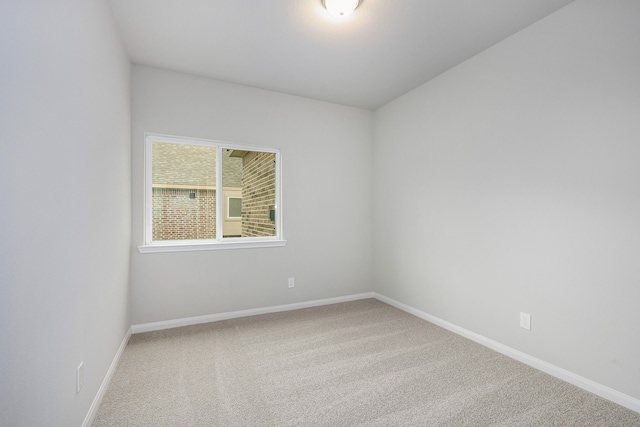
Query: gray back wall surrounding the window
327	181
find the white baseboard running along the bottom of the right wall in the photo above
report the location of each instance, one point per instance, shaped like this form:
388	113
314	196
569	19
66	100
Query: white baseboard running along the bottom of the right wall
577	380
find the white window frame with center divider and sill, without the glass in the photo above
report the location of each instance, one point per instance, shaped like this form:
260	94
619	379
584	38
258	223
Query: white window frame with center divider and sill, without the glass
220	242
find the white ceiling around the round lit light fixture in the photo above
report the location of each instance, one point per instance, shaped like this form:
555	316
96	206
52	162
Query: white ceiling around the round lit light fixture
385	49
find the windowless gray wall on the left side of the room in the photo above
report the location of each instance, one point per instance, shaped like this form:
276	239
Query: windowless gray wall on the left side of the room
64	206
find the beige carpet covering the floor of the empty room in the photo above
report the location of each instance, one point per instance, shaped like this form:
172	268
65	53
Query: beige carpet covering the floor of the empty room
361	363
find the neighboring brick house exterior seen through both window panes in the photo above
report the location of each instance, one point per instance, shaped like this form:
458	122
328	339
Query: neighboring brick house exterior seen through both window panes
184	192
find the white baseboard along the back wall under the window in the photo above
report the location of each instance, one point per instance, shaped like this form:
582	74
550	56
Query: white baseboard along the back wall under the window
168	324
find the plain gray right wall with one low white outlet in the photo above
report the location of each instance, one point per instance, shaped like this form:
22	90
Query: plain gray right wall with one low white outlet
512	183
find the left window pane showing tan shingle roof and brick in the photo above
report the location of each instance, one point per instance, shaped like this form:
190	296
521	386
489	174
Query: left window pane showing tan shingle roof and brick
183	191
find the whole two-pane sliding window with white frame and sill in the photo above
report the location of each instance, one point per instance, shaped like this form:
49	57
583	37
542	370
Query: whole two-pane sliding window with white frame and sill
210	195
